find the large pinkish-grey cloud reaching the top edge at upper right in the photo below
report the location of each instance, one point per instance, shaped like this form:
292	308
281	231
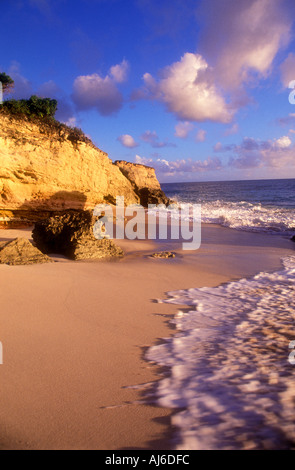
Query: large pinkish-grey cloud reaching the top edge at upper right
245	39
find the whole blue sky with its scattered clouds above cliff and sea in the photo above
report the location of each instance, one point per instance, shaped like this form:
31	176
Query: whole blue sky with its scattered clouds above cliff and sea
197	89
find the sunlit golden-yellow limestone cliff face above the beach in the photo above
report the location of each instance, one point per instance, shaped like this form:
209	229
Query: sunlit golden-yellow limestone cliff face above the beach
42	171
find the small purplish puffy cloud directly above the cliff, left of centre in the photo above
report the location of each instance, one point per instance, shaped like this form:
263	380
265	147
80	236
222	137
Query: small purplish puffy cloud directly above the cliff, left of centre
100	93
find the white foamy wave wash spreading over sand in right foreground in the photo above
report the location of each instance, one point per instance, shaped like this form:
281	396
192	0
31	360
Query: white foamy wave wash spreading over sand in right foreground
229	366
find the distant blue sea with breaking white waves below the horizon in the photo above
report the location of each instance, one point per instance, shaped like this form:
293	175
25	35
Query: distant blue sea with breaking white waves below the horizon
257	206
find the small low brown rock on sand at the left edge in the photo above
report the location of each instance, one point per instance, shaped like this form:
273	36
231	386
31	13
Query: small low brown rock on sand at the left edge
21	252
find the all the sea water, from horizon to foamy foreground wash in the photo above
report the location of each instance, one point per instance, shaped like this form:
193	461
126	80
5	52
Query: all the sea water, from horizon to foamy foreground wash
231	382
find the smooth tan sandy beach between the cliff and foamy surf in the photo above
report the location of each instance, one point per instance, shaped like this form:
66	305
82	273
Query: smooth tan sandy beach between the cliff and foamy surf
74	337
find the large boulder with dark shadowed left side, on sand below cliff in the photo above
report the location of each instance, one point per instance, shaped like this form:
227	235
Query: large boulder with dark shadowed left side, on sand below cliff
71	234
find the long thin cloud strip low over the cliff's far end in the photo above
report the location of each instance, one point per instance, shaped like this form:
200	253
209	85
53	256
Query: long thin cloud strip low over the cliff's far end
180	167
